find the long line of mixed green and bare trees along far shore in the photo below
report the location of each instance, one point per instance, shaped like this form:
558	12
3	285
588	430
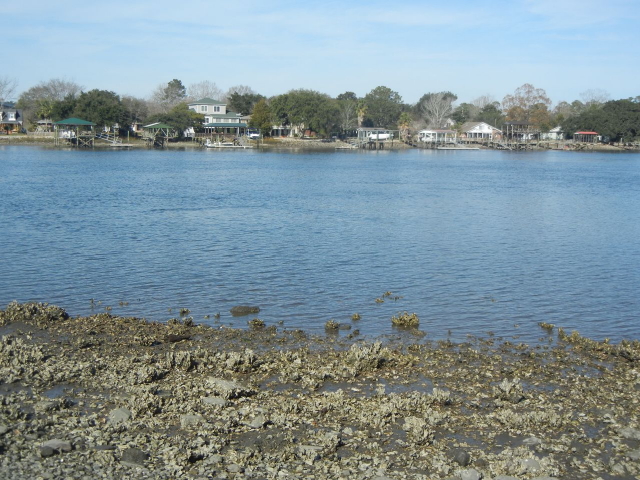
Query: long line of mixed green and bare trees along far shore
306	109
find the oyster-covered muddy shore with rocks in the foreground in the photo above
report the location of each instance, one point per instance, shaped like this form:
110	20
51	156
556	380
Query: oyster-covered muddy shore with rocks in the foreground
112	397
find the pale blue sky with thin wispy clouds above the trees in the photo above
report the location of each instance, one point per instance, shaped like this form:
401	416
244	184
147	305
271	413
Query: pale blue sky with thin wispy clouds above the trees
471	48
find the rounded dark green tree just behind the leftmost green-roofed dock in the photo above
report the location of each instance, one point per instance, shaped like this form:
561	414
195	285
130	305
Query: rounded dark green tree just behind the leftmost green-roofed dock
102	107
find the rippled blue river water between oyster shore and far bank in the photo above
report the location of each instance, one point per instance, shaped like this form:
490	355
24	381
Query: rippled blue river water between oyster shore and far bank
474	242
